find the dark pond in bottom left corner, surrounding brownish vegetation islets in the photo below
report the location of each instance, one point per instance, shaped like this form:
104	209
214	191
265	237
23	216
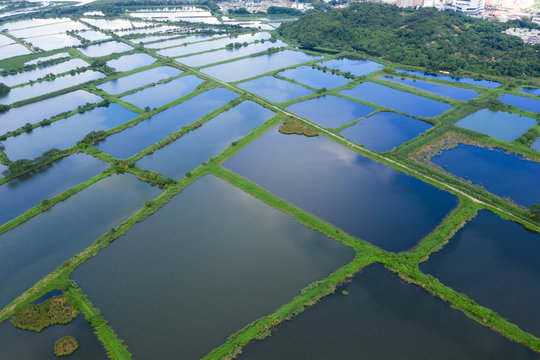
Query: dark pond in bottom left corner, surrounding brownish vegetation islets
27	345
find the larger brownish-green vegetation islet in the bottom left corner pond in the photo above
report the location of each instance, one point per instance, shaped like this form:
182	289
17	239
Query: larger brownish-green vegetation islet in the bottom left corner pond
56	310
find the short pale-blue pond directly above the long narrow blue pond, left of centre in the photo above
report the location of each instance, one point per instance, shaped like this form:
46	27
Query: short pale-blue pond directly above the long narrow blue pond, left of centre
161	94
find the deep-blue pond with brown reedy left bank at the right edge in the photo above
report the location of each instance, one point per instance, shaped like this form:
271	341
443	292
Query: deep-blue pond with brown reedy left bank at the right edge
506	175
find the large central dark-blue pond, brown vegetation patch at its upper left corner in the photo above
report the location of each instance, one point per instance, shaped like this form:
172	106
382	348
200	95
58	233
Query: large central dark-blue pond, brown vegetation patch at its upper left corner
362	197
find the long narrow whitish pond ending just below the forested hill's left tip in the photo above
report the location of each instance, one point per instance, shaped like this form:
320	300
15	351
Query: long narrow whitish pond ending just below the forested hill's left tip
228	54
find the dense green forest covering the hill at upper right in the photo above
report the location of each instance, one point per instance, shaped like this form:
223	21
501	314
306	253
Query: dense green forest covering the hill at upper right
437	40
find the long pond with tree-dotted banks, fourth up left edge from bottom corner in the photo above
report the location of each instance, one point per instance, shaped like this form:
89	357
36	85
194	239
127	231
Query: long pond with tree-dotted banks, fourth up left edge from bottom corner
65	133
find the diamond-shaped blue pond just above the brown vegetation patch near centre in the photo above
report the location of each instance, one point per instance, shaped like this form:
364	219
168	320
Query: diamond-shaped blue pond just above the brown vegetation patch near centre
330	111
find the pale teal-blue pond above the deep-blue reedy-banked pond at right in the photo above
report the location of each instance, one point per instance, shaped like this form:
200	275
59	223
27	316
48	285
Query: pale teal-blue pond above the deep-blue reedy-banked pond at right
498	124
